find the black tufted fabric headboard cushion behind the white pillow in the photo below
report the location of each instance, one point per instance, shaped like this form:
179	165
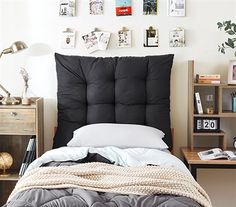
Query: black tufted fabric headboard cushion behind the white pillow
133	90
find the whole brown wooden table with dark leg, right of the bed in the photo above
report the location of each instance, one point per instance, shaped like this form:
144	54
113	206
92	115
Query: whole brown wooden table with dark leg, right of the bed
193	162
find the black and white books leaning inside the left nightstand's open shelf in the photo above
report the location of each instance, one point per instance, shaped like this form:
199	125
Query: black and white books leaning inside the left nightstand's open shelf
30	155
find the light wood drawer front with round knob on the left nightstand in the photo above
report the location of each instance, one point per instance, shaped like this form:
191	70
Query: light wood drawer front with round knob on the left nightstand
19	121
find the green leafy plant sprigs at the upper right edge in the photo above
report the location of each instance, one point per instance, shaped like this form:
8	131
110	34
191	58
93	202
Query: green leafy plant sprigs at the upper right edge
229	28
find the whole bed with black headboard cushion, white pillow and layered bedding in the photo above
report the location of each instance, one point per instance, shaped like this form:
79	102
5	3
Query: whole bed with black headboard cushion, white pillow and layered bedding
113	140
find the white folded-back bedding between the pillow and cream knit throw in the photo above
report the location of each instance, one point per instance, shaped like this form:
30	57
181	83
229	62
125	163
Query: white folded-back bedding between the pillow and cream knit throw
123	157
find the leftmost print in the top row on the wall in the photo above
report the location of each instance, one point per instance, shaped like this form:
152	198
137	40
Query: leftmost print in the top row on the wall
67	8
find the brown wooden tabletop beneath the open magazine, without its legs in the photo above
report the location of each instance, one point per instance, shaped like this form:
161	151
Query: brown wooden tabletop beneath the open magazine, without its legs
192	157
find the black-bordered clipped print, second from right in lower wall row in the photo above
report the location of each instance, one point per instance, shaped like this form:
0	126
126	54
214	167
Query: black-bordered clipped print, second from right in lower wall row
151	38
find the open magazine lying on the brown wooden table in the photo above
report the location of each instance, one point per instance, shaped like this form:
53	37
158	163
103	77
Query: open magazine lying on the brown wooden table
217	153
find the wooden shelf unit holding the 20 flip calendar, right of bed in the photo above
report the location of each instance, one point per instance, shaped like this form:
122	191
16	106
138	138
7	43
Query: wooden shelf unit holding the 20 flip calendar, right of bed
221	104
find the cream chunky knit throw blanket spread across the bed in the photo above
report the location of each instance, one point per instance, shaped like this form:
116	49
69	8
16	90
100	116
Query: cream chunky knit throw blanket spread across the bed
111	178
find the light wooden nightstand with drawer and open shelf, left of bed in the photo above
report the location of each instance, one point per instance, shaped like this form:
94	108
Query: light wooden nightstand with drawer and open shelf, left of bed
17	124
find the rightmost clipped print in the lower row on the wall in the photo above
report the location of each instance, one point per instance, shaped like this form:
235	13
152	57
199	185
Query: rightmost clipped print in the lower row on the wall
177	38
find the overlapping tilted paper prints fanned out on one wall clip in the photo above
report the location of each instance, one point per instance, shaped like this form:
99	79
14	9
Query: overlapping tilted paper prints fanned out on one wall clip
96	40
